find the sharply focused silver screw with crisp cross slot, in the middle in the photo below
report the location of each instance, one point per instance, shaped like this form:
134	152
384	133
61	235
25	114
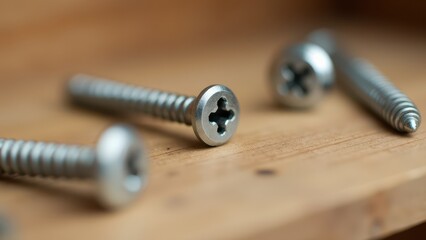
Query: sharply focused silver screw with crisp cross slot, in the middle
214	114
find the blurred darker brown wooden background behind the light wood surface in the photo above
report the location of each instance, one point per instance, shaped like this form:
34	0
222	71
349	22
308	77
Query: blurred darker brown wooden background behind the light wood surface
45	35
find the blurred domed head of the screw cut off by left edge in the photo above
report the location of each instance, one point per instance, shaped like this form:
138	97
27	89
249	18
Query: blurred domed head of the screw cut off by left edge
121	166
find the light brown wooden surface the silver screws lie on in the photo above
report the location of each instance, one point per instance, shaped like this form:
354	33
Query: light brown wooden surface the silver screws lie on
334	172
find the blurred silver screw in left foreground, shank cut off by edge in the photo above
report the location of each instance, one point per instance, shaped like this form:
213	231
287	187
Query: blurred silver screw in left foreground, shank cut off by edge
118	164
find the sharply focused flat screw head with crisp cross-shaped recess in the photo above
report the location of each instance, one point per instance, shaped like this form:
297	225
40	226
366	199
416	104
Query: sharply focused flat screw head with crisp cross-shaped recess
215	115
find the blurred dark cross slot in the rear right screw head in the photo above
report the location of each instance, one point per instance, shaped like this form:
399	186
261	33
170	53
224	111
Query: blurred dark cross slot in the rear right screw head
295	78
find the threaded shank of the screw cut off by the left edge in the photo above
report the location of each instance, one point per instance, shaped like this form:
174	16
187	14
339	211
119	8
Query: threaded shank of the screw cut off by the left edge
45	159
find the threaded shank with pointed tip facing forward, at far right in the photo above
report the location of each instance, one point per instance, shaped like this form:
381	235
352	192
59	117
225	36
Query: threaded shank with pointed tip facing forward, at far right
381	95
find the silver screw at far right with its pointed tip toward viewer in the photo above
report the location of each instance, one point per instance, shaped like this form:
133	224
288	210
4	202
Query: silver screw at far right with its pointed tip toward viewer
372	88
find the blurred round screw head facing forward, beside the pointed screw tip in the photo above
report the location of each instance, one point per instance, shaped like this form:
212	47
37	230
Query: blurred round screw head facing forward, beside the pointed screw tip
301	74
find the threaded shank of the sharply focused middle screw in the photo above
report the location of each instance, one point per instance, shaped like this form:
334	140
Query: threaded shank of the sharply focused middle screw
119	96
